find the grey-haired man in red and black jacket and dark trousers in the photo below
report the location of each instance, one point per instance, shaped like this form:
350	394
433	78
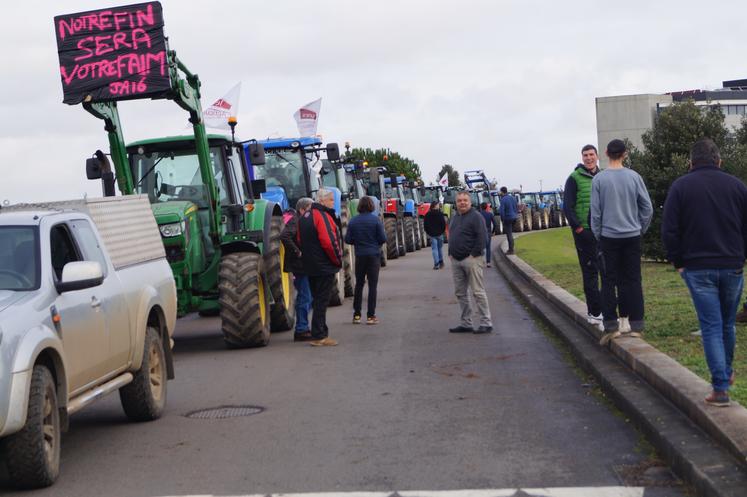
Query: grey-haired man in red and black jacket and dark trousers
321	253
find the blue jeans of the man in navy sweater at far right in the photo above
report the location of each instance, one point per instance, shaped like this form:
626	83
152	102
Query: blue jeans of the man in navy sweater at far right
716	294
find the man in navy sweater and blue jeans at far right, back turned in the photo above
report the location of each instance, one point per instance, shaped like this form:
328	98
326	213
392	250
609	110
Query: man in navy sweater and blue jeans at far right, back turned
704	230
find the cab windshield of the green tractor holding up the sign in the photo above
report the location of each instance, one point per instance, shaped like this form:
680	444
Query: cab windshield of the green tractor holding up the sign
175	175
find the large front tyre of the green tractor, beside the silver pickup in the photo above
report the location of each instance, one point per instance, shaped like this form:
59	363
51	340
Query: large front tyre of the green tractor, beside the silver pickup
244	300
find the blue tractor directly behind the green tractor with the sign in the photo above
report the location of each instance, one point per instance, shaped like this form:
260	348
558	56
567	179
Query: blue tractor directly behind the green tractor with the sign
292	170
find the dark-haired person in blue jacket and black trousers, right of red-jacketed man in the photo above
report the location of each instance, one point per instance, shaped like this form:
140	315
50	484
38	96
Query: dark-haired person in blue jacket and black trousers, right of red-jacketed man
366	233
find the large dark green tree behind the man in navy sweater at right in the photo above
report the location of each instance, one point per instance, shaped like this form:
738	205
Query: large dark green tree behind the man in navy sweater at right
666	153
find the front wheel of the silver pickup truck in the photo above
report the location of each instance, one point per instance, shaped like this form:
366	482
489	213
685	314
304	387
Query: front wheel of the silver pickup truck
32	455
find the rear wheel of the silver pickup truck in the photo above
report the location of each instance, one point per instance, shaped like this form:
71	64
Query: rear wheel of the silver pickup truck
144	398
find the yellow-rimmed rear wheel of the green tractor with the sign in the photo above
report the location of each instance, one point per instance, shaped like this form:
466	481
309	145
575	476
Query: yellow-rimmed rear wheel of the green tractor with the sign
283	311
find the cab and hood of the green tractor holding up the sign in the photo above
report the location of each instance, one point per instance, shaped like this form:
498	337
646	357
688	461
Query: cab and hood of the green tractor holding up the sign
168	171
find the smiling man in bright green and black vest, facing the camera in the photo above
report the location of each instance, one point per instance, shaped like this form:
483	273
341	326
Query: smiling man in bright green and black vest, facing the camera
576	207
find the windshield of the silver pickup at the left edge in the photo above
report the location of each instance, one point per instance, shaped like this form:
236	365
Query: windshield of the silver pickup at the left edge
19	258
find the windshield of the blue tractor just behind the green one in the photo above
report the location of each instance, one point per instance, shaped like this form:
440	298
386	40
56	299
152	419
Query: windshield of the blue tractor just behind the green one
284	168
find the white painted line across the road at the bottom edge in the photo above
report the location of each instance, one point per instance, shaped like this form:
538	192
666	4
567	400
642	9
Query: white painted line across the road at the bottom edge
506	492
